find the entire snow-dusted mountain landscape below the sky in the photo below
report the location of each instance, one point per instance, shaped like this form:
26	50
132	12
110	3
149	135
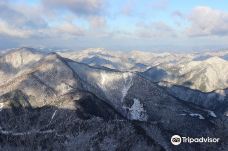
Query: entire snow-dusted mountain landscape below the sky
102	100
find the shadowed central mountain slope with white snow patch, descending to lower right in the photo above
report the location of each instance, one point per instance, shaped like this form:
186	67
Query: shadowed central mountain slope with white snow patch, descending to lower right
145	101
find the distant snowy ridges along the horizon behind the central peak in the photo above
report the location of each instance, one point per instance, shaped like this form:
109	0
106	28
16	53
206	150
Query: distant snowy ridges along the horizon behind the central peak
123	61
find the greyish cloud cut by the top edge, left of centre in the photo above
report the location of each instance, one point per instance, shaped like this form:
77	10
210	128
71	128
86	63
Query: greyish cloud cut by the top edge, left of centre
78	7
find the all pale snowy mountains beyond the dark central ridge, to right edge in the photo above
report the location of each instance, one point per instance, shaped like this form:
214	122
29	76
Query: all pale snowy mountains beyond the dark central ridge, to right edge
205	71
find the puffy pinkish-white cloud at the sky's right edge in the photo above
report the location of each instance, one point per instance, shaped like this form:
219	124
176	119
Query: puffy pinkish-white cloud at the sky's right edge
206	21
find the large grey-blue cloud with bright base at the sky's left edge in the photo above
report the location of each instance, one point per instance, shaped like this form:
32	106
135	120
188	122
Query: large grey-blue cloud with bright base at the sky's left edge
23	21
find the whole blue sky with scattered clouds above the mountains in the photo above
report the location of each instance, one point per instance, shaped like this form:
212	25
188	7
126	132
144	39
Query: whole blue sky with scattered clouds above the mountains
148	25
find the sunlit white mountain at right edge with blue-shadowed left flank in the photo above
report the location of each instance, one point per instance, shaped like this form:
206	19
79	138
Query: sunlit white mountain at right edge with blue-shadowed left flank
207	75
